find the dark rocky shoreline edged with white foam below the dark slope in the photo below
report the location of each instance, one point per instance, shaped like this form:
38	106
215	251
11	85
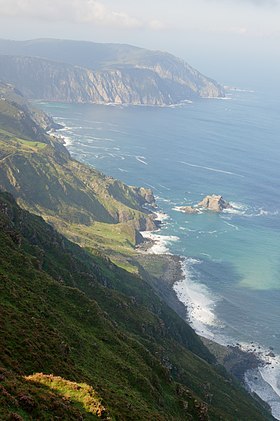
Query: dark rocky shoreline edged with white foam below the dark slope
243	361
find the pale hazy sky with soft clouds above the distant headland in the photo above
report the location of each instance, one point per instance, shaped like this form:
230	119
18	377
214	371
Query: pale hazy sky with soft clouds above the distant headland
234	41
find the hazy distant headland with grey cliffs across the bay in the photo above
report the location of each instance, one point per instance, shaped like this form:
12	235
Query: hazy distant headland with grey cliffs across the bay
76	71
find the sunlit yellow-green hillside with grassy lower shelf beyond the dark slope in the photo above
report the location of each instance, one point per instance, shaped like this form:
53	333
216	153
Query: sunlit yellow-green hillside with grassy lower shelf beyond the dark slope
93	210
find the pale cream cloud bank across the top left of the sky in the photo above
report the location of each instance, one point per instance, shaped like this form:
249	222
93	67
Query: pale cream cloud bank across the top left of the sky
80	11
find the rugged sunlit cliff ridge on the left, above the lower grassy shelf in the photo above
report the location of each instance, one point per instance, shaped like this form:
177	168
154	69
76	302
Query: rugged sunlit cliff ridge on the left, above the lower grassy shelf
38	170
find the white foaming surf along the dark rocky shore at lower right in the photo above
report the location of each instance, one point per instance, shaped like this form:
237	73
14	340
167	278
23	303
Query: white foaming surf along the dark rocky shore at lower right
200	306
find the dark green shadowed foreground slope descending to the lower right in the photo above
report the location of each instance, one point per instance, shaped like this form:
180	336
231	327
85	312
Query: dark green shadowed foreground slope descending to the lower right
69	315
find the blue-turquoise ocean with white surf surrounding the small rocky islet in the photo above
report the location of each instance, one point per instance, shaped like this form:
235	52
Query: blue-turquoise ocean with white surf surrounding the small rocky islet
231	260
